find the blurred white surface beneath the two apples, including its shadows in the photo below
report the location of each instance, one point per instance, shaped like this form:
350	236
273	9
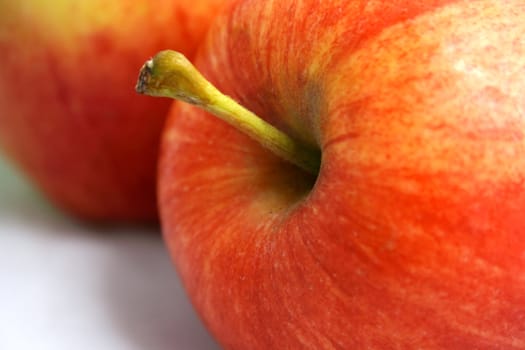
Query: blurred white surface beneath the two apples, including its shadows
68	286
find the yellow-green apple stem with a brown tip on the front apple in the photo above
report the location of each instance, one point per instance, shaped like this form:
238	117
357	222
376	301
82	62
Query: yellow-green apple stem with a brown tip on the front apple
170	74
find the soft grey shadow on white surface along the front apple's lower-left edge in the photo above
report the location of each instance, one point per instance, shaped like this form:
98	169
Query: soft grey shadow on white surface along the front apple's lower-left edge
147	301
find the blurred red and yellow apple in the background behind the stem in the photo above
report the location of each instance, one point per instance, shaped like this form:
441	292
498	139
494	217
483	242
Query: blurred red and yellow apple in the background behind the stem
69	115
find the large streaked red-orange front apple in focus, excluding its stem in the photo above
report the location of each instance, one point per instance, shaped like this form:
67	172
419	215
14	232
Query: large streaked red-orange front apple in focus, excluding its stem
413	235
